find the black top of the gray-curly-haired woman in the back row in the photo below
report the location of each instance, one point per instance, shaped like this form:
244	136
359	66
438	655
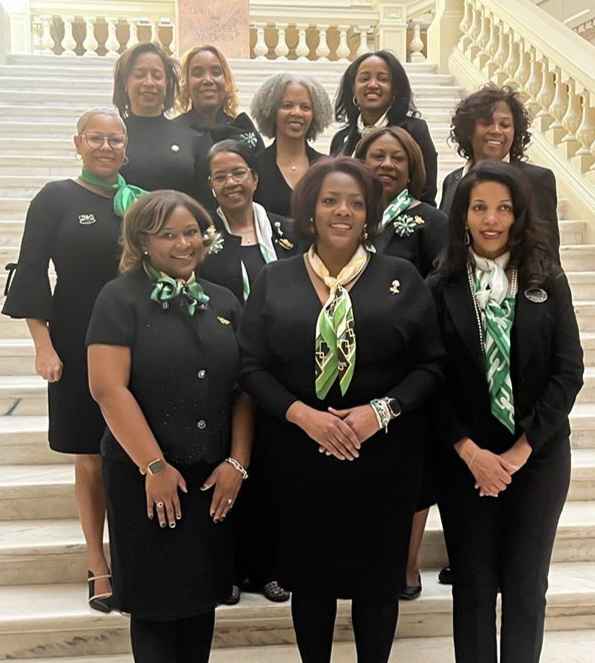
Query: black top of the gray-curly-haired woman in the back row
273	191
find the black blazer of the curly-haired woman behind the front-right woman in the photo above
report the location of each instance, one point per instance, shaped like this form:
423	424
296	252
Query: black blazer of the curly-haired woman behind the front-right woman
542	184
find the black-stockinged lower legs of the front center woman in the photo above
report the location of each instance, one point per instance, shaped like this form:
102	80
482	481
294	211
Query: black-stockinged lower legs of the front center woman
374	625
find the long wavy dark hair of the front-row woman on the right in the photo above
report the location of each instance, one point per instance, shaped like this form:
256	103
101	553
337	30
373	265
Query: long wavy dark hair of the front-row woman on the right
529	248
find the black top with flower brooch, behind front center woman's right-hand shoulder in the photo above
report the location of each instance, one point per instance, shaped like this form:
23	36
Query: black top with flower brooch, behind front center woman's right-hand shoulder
423	245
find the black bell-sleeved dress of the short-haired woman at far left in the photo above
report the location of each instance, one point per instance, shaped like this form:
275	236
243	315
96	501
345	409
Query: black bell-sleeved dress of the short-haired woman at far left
79	231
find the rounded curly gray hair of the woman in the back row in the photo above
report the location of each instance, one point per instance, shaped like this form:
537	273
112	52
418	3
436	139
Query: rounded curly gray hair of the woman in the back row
267	100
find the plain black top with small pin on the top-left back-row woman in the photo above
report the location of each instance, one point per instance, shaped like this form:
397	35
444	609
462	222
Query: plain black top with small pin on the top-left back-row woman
164	155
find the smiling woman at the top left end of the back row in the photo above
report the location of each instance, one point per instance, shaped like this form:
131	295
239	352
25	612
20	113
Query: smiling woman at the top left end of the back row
161	154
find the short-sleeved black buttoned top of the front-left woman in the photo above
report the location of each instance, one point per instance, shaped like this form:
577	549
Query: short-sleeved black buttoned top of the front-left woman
184	369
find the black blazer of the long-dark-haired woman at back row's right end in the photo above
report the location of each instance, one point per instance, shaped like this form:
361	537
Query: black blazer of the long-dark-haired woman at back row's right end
345	140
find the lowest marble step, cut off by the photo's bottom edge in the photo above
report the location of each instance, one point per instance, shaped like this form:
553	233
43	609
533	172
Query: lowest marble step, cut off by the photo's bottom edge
558	647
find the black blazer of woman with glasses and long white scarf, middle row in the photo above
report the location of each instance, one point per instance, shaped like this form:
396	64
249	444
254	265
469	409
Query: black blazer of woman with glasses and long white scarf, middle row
224	267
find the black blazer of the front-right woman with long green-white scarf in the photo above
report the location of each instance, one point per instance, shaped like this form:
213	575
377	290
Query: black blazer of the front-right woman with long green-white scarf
546	367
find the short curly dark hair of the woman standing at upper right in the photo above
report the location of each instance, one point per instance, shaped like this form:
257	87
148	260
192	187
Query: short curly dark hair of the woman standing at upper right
480	106
